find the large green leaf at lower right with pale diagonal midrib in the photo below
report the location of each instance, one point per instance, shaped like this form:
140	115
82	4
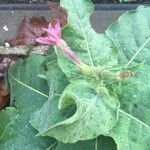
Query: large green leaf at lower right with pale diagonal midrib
134	122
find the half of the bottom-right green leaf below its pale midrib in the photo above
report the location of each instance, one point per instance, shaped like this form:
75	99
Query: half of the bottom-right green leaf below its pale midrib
131	133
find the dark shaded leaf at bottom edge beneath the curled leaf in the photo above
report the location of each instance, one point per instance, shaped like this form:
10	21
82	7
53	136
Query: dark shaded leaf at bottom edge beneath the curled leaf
99	143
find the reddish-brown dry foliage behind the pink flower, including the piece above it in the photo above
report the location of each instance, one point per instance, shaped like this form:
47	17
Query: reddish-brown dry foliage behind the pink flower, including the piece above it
31	28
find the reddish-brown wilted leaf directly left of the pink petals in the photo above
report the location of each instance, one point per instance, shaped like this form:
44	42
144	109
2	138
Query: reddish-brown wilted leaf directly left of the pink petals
30	29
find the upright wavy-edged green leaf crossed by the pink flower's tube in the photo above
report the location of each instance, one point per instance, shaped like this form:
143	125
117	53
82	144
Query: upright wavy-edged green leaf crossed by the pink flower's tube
92	48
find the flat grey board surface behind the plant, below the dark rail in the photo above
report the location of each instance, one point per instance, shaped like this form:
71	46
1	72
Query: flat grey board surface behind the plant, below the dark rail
12	19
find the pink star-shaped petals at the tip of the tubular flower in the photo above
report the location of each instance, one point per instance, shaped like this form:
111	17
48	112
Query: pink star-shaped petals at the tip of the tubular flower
53	35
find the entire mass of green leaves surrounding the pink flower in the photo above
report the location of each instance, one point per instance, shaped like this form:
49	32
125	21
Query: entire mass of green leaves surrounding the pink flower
80	111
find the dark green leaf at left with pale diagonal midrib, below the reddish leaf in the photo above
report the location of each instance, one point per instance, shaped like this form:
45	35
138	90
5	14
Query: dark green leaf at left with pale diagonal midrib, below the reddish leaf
23	78
